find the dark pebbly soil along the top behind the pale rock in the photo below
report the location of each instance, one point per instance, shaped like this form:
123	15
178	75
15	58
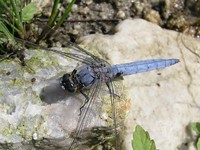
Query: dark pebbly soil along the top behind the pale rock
100	16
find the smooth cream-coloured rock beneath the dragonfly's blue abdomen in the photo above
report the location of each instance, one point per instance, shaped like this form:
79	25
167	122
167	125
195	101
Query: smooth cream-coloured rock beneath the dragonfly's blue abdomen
163	102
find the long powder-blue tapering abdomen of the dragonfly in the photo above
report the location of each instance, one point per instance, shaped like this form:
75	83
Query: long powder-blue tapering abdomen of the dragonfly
141	66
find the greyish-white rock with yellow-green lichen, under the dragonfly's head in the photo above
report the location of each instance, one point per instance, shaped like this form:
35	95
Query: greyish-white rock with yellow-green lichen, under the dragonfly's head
35	111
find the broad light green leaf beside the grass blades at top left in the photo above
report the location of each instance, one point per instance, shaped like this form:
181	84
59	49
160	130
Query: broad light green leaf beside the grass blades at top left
28	12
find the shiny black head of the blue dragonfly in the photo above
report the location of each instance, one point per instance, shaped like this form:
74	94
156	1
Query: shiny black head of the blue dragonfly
67	83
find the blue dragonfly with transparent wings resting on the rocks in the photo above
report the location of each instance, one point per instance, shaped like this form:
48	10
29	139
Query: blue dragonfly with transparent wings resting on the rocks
90	76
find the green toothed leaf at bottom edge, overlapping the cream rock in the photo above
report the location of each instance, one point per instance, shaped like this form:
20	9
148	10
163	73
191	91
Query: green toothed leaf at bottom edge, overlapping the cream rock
141	140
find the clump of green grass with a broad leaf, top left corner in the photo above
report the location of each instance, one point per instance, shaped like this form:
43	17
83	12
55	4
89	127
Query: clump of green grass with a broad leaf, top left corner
14	16
